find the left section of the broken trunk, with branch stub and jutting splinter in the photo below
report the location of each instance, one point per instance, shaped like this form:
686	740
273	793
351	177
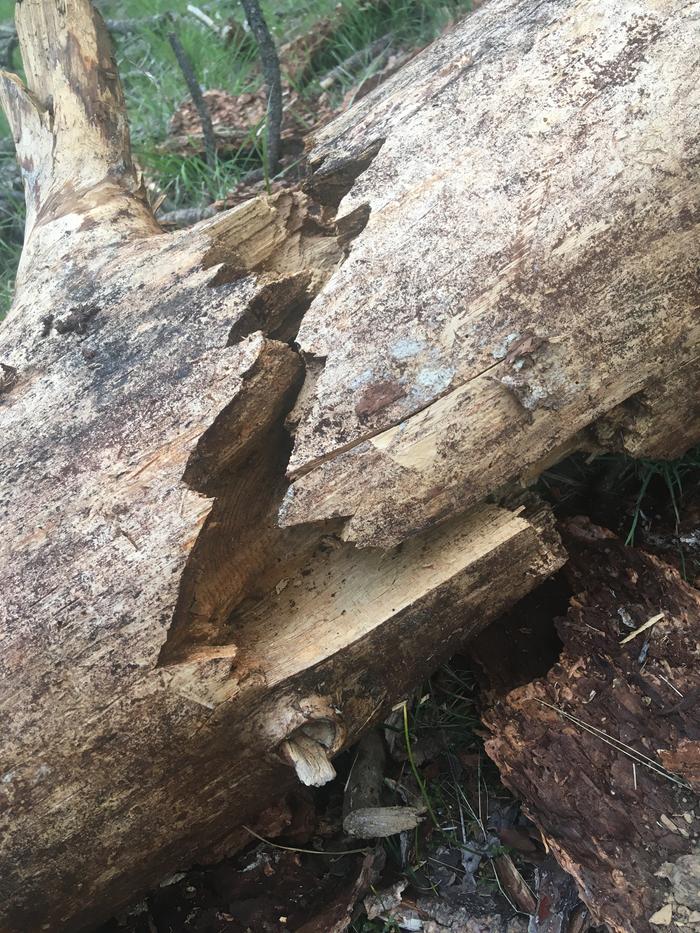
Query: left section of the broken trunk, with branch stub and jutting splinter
143	458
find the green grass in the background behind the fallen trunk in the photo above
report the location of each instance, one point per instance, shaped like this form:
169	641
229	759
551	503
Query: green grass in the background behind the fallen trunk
154	86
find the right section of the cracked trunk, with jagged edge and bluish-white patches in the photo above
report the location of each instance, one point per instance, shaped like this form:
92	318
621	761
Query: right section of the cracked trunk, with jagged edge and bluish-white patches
529	262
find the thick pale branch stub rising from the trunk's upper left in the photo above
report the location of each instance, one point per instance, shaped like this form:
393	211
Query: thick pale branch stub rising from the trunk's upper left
69	124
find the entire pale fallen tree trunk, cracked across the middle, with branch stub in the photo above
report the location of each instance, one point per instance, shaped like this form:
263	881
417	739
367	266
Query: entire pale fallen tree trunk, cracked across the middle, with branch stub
191	608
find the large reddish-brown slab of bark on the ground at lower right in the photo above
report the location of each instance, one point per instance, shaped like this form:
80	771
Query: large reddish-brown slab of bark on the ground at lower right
596	784
